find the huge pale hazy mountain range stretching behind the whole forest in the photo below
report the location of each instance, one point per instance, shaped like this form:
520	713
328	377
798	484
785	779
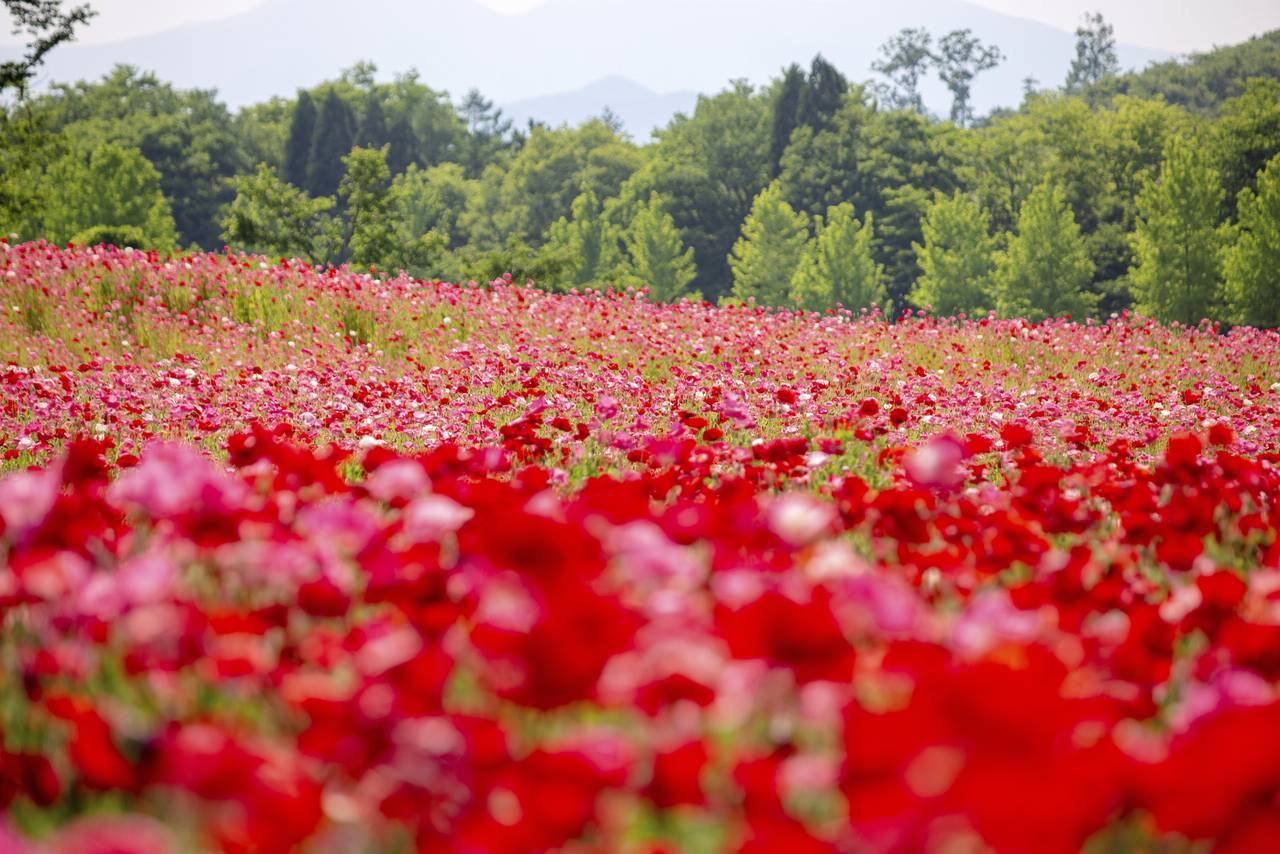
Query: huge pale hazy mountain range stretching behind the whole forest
565	45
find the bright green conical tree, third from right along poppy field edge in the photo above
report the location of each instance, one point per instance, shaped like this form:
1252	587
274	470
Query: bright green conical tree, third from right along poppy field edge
1048	268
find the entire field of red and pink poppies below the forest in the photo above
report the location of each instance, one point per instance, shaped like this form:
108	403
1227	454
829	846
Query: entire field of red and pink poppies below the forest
327	561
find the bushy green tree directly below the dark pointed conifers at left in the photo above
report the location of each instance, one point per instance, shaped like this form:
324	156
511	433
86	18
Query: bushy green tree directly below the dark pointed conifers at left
273	218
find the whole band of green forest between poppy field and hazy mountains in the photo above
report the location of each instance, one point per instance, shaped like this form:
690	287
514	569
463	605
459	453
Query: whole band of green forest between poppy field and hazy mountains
1156	191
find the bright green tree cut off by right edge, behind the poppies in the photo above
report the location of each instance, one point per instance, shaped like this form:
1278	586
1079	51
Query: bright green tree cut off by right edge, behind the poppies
1252	263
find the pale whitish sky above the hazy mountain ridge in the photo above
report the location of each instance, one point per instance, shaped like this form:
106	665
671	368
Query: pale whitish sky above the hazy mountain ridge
1178	26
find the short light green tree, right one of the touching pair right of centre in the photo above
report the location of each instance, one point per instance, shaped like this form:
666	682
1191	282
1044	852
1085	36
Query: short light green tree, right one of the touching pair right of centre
839	268
